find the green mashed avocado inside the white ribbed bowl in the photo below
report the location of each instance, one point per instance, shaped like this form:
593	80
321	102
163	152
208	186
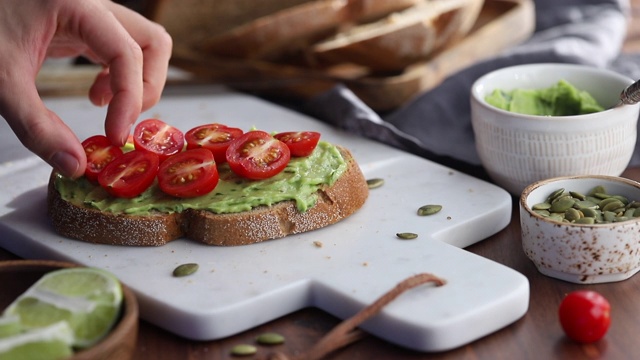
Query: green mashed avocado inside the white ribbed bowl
562	99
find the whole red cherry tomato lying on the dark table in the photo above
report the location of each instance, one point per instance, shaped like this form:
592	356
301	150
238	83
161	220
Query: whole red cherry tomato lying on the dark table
585	316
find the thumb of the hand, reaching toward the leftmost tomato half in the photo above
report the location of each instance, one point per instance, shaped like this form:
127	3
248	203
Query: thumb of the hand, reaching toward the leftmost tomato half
39	129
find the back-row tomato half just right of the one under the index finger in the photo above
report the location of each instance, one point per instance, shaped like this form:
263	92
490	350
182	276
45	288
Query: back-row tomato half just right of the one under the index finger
215	137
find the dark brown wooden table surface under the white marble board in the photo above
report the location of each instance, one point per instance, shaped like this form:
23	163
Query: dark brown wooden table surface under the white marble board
537	335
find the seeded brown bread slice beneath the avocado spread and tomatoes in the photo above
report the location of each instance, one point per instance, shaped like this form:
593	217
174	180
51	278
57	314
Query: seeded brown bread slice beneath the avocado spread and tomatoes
347	194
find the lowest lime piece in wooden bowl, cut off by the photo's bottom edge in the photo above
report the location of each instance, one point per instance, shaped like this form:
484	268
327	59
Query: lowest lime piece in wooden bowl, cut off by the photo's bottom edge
47	343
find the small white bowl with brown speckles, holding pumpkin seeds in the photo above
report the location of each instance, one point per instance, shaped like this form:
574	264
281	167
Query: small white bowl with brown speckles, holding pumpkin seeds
577	253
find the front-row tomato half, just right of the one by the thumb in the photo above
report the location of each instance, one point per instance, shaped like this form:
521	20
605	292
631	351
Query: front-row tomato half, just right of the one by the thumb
130	174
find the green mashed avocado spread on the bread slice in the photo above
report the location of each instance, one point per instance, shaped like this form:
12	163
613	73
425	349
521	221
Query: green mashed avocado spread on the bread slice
299	181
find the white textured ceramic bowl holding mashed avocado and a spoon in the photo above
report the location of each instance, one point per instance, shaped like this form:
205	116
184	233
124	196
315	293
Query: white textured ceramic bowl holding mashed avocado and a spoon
517	150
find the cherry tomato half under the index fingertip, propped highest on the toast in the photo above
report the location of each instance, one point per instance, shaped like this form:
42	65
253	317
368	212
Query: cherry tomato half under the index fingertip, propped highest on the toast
156	136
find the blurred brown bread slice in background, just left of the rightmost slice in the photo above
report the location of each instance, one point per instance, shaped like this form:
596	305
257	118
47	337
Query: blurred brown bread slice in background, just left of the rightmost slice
296	27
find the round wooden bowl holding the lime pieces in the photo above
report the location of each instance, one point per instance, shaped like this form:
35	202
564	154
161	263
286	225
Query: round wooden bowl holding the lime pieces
16	276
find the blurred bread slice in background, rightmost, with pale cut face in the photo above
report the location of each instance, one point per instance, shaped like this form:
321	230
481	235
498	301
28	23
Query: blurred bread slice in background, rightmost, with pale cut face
402	38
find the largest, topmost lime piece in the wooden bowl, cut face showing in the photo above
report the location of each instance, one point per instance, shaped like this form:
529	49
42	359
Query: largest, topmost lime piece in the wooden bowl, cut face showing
89	299
